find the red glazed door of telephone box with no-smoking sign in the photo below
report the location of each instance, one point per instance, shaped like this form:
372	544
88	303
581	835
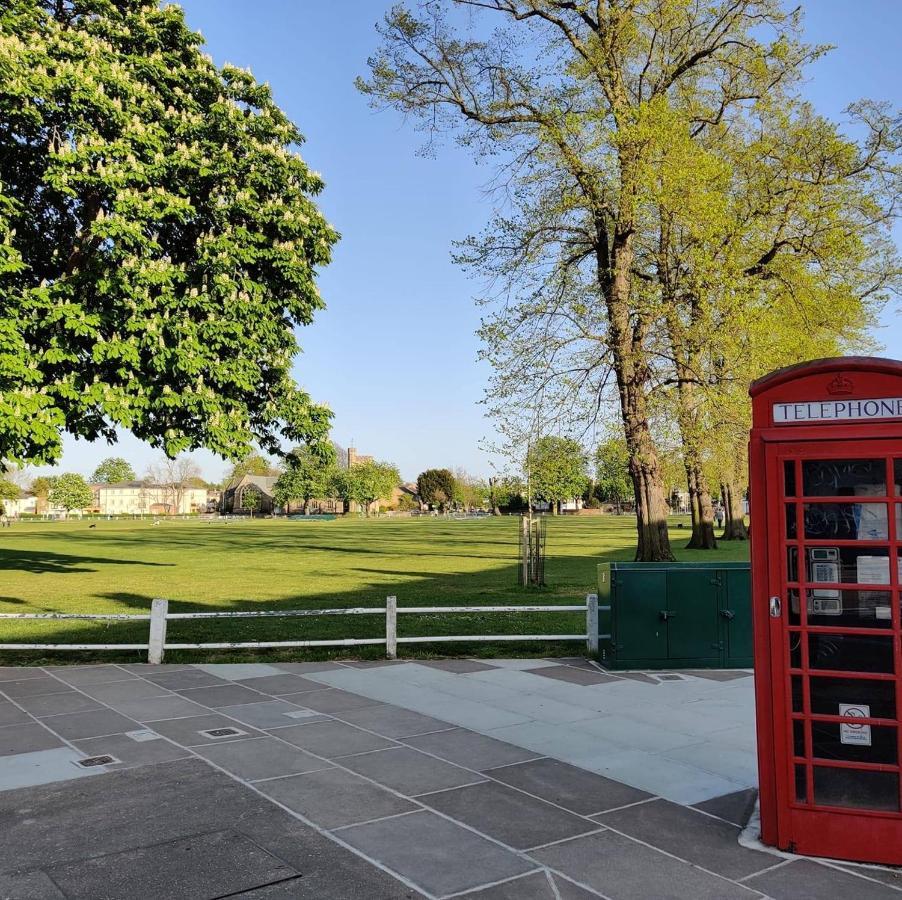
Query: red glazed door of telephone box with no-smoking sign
834	520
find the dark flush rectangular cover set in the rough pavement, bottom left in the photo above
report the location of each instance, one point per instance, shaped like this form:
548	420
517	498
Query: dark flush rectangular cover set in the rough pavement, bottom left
203	866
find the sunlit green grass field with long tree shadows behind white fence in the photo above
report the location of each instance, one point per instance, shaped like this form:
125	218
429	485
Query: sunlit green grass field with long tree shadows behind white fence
120	566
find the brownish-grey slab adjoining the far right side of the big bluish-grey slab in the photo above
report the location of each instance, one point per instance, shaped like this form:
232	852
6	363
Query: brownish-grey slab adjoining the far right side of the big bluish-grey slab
510	816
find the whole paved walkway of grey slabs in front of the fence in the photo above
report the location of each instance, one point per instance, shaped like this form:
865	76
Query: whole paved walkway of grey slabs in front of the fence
503	779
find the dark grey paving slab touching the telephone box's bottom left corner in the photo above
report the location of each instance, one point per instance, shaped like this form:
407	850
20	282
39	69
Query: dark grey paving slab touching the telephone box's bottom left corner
690	835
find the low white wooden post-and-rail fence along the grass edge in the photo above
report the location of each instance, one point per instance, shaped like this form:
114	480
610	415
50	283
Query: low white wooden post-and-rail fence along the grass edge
160	616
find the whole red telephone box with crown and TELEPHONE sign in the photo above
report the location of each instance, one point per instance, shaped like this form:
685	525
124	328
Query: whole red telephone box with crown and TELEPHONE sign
826	503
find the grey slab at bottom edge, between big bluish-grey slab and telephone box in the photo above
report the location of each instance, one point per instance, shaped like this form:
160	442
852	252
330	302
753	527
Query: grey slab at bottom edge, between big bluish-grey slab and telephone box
622	869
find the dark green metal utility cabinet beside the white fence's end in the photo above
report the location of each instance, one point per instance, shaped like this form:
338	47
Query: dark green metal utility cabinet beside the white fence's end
674	615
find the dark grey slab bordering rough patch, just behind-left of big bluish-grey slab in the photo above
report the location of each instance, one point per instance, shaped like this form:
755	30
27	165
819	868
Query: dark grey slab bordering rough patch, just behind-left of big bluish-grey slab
333	798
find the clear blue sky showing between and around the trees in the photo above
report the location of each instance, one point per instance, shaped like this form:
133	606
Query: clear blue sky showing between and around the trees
394	354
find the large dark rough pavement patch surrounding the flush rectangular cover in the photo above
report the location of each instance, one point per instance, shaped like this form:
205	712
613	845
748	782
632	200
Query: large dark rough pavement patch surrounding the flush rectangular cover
141	807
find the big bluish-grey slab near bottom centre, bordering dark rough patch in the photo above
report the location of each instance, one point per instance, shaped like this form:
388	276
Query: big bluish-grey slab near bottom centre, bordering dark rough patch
438	855
